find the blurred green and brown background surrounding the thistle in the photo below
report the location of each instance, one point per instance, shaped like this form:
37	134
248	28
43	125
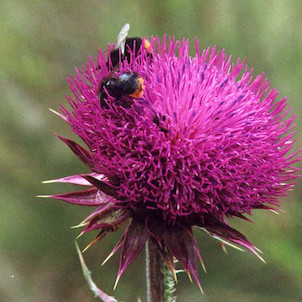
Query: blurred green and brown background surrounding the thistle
40	44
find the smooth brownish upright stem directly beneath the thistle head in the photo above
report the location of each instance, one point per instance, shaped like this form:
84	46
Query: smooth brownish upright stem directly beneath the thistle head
155	277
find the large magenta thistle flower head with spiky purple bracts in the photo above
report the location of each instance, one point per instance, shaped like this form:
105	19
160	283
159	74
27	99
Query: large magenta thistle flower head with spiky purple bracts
206	141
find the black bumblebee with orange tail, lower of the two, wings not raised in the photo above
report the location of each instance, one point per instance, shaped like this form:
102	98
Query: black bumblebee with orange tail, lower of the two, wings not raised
127	84
